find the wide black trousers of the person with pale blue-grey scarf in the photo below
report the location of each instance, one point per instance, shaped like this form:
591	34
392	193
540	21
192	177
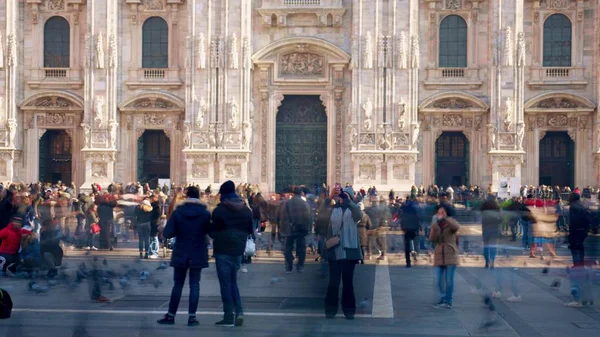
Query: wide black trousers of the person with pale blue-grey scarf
340	271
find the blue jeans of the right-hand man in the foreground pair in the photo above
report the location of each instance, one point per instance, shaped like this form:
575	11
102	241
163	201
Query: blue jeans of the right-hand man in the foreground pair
227	267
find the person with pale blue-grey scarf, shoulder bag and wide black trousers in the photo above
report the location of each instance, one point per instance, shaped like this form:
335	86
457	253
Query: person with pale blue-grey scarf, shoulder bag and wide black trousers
344	256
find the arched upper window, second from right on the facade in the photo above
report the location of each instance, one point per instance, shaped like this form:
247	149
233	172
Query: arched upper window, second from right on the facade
453	42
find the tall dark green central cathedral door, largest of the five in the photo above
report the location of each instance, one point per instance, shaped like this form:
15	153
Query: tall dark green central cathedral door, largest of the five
301	142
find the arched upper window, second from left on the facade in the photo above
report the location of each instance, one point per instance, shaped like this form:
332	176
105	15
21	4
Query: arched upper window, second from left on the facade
155	43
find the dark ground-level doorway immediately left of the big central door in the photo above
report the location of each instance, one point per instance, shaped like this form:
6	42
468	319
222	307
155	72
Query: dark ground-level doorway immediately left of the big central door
153	157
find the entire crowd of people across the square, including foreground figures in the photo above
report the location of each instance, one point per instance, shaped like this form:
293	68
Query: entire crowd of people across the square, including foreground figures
37	220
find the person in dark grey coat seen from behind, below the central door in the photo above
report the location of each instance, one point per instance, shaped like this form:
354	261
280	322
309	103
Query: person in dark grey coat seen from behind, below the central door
295	226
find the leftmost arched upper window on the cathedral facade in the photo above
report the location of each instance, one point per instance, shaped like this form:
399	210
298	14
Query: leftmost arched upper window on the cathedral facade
57	43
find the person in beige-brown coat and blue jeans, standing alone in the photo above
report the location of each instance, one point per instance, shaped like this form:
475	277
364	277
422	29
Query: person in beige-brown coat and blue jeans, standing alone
444	236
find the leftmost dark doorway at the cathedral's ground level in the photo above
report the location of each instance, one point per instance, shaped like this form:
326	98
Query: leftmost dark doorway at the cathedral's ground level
56	157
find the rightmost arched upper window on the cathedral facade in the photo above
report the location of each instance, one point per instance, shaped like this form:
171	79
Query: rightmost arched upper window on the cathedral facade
557	41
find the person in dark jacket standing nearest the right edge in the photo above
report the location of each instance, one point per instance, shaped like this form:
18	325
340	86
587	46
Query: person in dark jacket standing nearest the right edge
580	219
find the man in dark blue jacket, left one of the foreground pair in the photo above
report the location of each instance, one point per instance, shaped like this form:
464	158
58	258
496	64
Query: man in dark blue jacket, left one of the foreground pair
189	223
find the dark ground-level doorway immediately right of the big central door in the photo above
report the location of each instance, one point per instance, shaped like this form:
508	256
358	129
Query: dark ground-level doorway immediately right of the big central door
452	159
